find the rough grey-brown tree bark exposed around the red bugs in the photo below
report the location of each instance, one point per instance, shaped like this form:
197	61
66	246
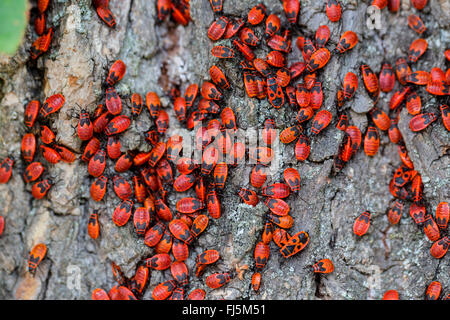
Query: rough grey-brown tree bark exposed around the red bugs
388	257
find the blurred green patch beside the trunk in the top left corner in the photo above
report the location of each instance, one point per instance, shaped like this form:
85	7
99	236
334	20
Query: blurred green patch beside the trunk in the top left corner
13	21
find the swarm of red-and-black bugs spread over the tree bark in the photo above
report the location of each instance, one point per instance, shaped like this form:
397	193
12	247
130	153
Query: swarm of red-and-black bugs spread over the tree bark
162	170
